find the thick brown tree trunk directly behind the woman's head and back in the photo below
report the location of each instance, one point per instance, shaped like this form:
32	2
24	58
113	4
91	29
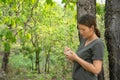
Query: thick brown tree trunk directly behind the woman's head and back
88	7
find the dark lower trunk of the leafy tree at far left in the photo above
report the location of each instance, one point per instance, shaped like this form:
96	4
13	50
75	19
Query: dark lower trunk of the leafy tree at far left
5	61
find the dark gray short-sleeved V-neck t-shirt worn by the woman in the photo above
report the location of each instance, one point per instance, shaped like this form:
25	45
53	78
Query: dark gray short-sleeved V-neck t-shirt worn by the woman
93	51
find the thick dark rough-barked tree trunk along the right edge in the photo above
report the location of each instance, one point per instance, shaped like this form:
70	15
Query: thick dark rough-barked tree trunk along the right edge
112	36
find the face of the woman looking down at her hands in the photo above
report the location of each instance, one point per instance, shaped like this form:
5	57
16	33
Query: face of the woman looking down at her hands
85	31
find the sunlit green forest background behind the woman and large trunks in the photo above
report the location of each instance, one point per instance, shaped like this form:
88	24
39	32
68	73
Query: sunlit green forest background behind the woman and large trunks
33	34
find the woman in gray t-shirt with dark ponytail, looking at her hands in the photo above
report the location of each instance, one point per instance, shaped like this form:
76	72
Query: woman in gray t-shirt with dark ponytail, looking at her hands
88	59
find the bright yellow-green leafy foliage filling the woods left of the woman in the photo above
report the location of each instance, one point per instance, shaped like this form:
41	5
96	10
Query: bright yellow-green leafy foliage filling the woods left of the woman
40	27
